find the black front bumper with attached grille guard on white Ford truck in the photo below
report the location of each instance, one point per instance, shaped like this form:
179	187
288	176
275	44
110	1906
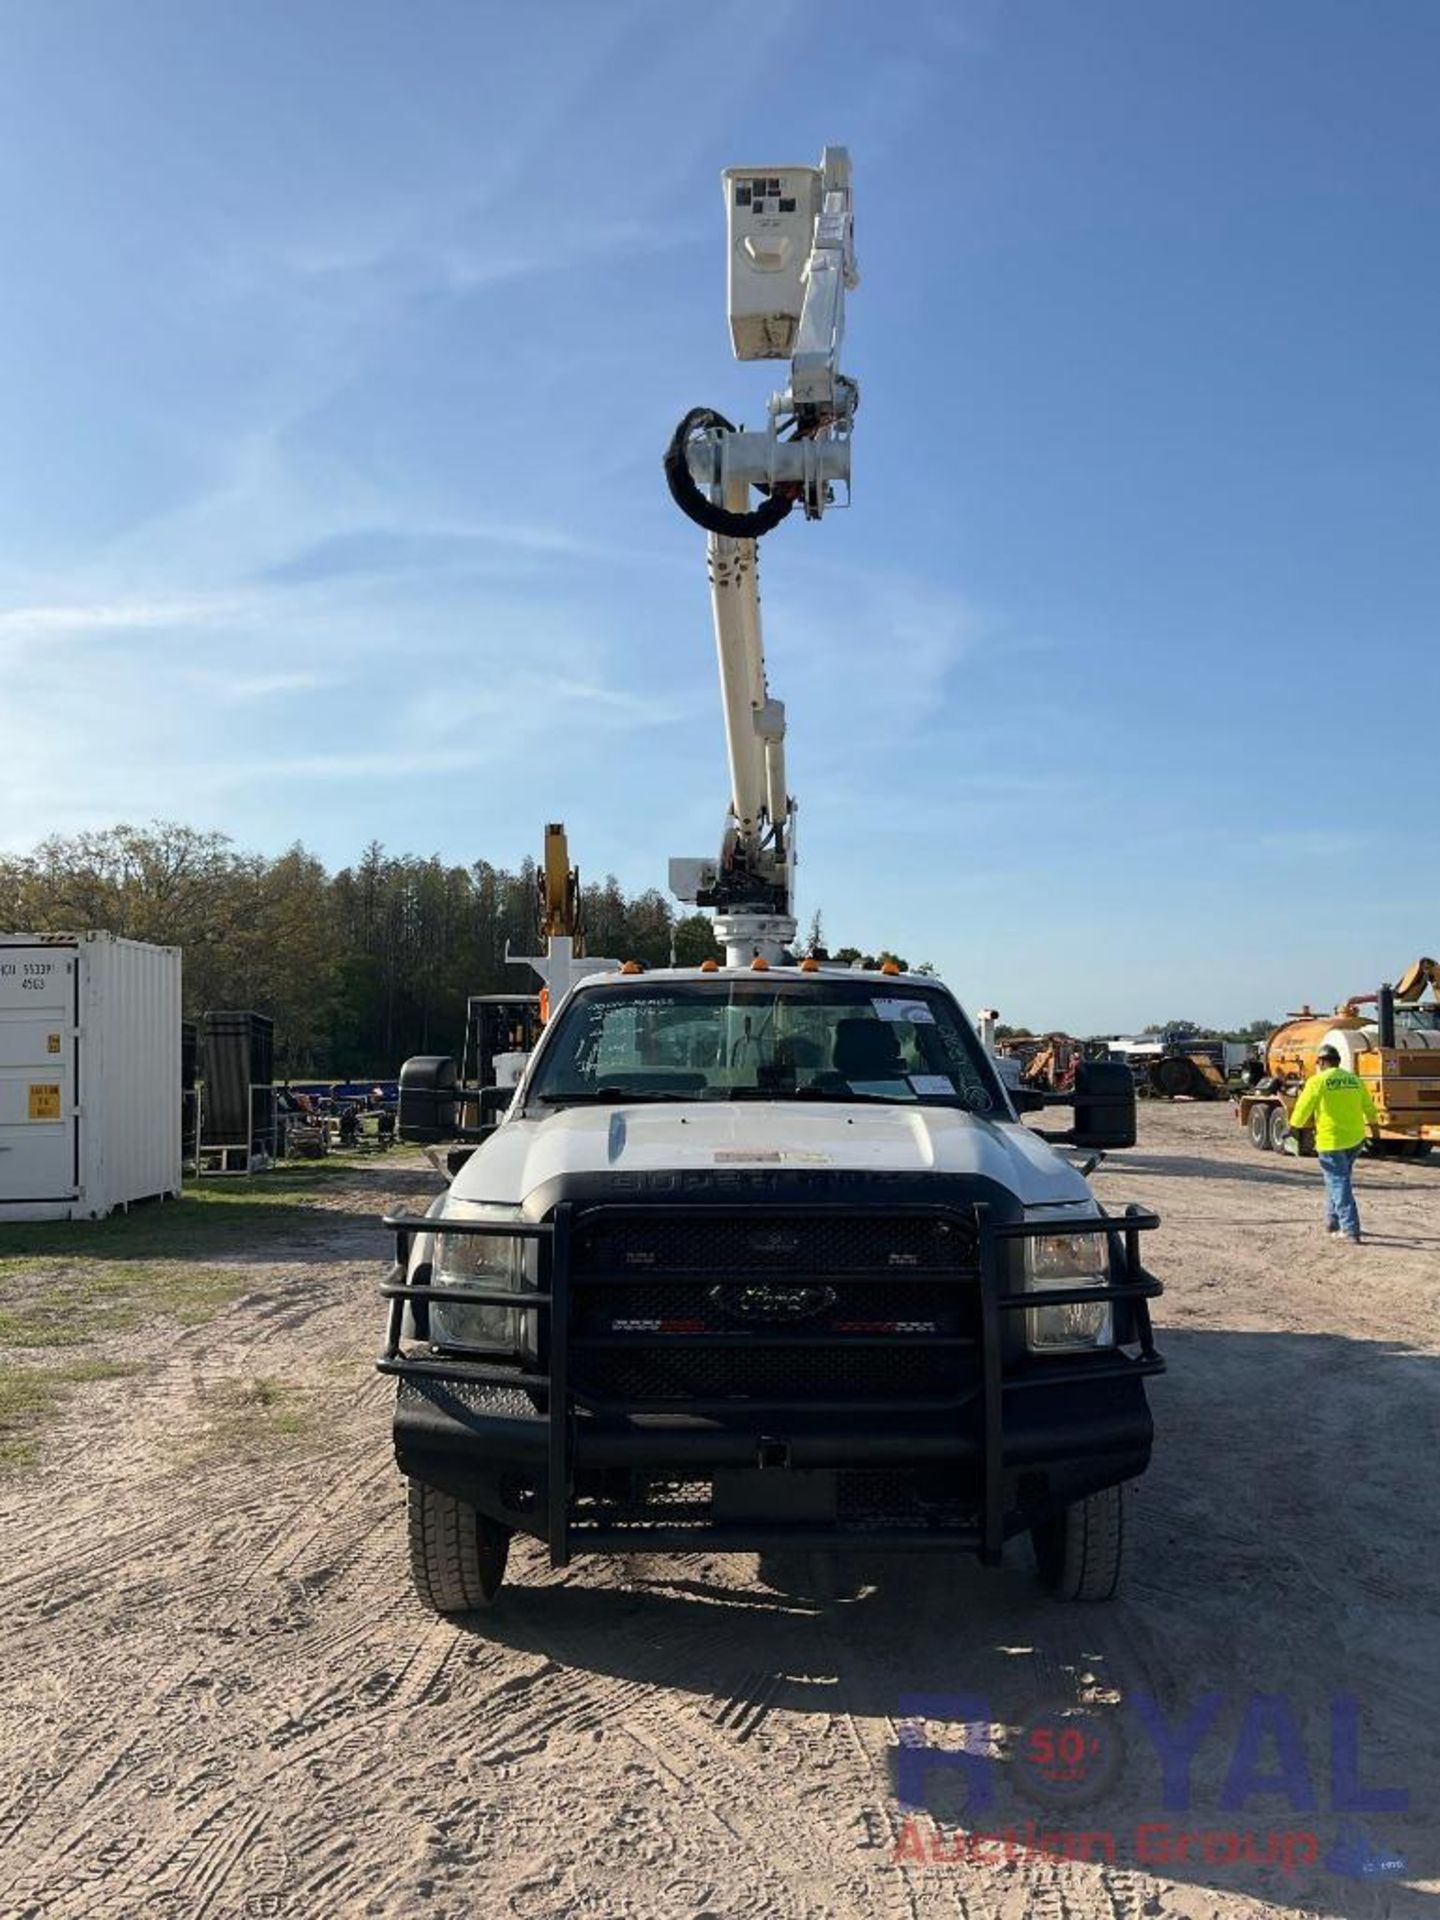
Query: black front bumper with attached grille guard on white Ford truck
1013	1437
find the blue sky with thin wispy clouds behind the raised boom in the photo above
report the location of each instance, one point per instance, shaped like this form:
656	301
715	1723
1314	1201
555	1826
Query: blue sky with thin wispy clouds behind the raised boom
341	343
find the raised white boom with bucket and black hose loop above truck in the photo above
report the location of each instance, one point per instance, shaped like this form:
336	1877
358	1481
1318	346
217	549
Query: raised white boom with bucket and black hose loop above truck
792	258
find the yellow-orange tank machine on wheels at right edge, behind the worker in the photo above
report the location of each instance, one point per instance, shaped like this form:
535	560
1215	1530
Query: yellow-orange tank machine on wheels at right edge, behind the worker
1395	1051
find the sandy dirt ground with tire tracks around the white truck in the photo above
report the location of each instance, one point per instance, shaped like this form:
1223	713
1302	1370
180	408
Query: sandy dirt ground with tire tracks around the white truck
222	1698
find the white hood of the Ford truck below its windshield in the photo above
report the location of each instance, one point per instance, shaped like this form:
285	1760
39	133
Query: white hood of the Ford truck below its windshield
838	1136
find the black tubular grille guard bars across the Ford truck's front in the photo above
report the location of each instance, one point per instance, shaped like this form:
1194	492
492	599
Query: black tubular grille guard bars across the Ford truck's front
552	1299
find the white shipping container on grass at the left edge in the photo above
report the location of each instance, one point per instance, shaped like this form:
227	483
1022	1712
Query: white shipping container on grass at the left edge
89	1074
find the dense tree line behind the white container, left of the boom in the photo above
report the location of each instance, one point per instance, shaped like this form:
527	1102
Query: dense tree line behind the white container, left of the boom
358	969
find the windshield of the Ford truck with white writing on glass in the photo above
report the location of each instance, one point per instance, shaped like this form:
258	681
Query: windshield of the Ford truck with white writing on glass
798	1040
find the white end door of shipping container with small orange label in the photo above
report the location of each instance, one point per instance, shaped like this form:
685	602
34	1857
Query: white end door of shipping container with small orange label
37	1074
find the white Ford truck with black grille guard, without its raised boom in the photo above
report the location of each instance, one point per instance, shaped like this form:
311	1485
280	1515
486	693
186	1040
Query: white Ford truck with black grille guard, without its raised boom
765	1257
